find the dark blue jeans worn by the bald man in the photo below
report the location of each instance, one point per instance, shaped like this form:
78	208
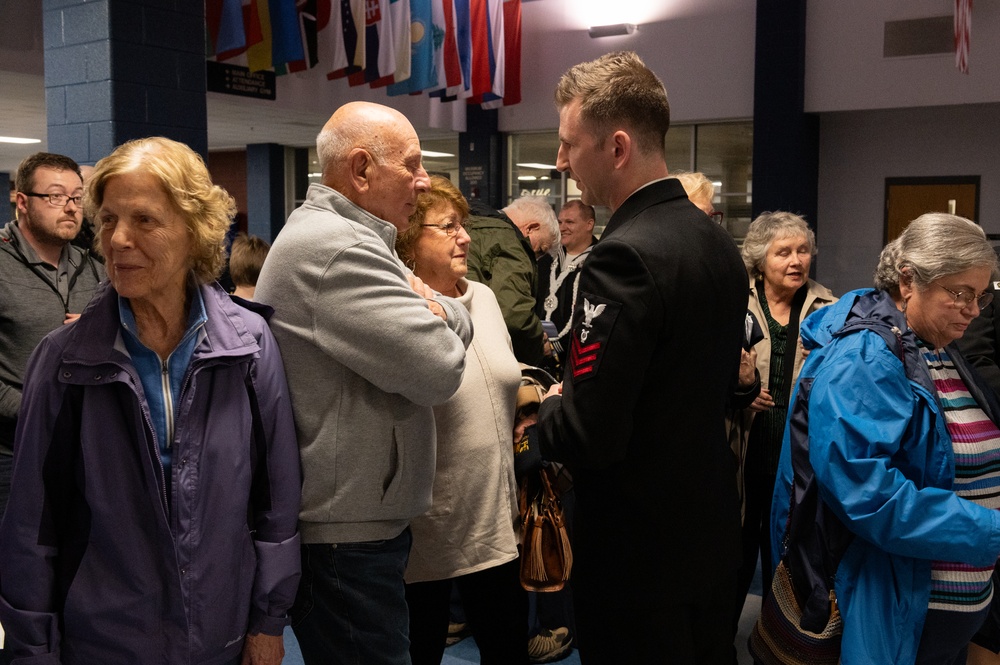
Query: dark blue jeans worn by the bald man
351	603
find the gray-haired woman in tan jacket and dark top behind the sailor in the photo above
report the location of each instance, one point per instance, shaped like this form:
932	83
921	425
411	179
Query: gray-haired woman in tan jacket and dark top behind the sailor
777	252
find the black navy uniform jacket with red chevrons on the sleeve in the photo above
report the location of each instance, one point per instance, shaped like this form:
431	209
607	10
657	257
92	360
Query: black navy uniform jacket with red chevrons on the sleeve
655	355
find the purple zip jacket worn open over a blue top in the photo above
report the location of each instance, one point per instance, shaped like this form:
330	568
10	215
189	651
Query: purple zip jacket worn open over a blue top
94	565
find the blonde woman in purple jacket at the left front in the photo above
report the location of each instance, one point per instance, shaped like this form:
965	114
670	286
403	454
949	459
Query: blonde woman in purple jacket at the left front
156	485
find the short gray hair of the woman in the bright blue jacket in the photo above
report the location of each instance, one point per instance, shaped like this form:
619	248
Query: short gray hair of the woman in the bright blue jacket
933	246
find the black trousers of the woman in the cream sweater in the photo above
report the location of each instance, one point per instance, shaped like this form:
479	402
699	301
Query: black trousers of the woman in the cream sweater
496	608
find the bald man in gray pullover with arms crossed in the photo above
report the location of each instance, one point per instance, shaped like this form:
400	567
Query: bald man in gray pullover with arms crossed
368	350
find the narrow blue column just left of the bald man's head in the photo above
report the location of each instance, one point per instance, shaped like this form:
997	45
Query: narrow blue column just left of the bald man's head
265	189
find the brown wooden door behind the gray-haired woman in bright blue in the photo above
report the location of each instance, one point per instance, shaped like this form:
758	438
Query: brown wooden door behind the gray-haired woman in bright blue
908	198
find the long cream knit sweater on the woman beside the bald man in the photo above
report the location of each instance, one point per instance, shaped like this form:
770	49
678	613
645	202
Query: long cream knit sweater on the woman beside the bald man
471	524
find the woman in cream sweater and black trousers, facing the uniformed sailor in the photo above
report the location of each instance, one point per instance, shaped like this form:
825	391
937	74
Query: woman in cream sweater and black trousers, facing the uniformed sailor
469	534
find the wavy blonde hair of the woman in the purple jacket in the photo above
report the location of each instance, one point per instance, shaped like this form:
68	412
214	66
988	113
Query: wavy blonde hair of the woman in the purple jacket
208	210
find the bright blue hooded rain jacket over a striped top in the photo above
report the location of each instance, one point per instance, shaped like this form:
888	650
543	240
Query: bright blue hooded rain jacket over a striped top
884	465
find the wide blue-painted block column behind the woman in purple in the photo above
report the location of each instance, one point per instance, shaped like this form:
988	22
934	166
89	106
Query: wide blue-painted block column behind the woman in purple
117	70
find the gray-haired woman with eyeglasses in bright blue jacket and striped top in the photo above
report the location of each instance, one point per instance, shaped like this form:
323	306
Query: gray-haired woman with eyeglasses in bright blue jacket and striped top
904	444
